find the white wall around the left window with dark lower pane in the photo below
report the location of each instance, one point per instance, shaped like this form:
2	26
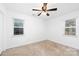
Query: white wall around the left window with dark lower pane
33	30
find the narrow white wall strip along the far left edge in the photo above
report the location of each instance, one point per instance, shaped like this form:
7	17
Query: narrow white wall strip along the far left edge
2	17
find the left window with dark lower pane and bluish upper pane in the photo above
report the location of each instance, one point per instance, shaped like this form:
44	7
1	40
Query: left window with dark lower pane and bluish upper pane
18	27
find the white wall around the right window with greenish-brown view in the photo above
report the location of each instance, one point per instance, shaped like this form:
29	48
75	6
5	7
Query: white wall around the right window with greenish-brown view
56	29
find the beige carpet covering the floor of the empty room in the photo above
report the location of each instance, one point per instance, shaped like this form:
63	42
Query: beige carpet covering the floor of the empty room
43	48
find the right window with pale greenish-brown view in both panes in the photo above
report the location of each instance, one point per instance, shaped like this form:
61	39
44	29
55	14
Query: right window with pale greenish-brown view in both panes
70	27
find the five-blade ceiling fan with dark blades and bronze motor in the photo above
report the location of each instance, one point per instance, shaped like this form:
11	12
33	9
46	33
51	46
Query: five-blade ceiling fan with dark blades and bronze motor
44	9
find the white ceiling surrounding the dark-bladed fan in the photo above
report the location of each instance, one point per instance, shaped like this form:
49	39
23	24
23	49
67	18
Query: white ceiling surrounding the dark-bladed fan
26	8
